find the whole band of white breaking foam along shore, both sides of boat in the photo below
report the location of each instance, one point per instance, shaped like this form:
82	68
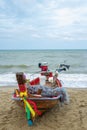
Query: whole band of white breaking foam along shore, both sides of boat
69	80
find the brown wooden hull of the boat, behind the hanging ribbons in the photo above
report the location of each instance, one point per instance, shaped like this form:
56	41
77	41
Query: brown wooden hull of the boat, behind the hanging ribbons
43	103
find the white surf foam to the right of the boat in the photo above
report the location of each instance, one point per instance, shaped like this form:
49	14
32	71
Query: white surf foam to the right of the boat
74	80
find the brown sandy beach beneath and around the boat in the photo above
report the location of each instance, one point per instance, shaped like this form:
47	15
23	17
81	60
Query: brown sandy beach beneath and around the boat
66	117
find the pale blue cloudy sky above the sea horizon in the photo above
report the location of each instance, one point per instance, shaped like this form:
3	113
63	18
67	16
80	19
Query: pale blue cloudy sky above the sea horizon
43	24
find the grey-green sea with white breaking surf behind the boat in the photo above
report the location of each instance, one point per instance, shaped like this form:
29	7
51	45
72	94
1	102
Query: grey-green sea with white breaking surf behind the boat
27	61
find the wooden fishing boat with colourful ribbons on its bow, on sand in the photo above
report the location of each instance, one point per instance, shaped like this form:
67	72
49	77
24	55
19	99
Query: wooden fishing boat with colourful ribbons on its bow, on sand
36	98
